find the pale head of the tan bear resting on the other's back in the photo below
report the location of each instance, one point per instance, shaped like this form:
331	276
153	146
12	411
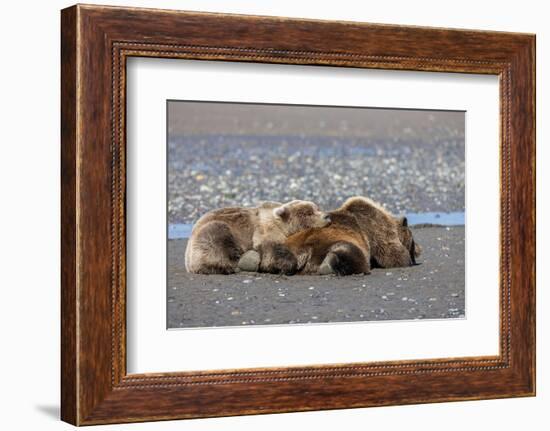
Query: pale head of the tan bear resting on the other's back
299	215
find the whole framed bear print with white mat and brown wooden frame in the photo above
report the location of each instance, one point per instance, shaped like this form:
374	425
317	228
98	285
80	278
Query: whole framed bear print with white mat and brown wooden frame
264	214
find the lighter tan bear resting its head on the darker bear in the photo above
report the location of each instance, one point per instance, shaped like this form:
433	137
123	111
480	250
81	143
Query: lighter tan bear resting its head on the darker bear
220	237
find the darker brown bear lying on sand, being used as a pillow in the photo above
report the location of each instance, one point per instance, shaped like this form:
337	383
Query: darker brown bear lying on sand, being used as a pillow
361	234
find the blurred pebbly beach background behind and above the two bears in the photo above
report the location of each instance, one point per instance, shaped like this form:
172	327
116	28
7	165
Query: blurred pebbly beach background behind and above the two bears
222	155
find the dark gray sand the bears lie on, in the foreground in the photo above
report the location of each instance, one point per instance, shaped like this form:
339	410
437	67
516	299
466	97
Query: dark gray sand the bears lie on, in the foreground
434	289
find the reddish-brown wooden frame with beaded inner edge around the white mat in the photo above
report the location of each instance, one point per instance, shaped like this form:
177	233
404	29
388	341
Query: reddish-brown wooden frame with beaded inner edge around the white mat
96	41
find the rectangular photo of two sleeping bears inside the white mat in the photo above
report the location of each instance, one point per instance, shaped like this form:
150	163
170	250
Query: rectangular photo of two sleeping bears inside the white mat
304	214
